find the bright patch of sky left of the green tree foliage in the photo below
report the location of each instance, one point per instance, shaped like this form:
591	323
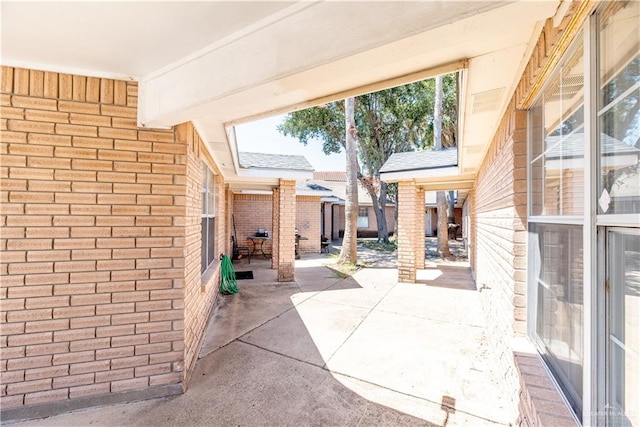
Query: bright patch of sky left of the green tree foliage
262	137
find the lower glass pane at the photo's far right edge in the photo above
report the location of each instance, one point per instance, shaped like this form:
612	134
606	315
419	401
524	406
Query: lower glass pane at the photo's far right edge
623	332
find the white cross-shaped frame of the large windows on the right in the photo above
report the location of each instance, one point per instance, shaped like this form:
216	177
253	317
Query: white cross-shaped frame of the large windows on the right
595	226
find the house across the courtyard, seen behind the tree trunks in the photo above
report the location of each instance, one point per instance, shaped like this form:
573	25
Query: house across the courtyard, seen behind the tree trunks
333	212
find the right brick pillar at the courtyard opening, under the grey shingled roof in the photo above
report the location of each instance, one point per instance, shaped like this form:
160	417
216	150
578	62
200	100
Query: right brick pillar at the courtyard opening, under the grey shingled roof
409	229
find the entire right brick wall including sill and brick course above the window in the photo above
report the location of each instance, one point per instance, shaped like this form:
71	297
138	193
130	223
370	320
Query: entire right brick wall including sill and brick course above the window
498	229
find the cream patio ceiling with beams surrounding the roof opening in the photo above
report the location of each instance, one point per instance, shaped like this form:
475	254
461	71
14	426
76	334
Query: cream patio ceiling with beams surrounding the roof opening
223	63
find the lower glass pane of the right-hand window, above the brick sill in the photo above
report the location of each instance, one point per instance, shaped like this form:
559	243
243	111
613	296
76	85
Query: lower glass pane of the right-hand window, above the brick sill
558	273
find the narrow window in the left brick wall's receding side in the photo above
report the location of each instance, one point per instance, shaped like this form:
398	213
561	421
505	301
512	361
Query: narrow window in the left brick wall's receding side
208	218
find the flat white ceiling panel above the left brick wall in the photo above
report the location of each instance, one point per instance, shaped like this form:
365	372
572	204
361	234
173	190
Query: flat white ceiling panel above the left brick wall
120	39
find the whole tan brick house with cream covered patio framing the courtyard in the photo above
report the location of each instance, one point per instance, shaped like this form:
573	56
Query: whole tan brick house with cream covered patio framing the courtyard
119	171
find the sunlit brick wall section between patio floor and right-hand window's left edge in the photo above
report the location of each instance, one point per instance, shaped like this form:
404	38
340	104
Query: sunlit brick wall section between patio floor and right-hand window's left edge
498	243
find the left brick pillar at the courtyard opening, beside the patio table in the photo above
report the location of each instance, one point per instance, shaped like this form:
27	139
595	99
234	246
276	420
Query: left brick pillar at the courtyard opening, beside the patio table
286	231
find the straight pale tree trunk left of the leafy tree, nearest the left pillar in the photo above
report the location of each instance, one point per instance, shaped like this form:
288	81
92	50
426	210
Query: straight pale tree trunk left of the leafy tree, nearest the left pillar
349	251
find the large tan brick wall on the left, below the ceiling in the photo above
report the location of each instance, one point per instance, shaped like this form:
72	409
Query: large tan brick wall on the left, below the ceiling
96	217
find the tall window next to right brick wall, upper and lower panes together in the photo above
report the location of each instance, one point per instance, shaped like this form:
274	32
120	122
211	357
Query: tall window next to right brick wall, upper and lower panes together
557	141
